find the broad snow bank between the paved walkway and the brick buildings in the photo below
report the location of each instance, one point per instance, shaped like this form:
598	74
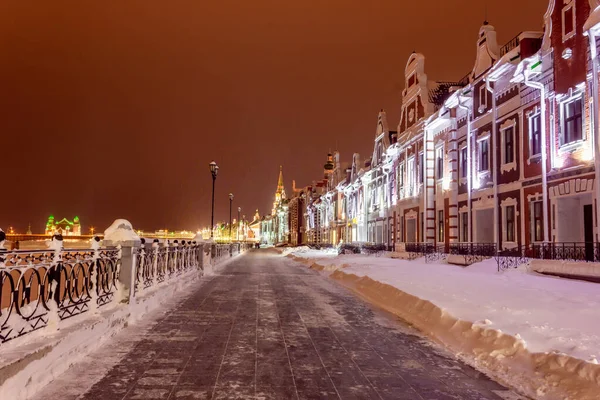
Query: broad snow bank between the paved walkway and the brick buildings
538	334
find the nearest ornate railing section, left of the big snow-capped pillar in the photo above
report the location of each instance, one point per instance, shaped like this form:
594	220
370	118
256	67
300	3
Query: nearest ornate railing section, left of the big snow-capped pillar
40	288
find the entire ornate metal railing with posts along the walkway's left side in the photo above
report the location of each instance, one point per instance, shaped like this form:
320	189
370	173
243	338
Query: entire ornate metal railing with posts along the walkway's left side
41	288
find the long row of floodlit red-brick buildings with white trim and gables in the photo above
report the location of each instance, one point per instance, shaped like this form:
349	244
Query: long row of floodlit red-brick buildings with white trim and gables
508	155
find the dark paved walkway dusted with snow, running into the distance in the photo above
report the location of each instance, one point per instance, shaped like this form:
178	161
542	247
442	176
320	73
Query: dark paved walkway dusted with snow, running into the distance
268	328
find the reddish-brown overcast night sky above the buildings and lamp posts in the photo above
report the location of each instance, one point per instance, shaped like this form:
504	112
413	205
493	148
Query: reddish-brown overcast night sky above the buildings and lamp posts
113	109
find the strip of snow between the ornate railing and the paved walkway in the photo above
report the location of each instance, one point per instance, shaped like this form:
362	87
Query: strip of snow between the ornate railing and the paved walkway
77	338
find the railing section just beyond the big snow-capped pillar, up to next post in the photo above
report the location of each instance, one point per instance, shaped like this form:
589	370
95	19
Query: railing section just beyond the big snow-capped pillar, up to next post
158	262
